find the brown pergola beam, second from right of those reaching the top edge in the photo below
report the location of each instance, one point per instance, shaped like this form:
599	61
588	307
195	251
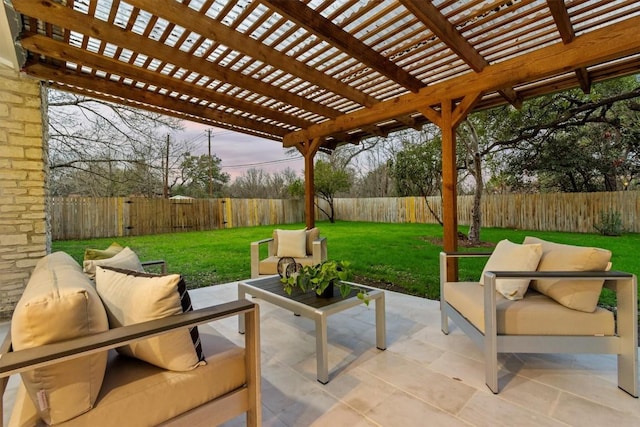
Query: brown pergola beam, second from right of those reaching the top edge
431	16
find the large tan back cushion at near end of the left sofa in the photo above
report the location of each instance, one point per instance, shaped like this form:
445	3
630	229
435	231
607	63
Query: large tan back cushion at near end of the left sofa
60	303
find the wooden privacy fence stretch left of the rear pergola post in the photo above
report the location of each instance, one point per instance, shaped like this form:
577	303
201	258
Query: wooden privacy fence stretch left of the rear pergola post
86	218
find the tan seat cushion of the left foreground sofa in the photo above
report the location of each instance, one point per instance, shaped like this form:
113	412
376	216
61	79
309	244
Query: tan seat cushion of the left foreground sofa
136	393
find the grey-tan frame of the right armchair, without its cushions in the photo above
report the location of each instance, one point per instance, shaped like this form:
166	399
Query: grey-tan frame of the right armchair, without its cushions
624	343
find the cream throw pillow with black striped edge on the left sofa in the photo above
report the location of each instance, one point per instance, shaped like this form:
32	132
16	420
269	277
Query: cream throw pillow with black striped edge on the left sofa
132	297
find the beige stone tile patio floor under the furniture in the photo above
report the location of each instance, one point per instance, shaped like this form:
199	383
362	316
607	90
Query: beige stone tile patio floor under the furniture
424	378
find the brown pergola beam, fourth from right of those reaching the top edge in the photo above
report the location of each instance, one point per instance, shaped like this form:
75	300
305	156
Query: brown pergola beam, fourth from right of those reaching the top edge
188	18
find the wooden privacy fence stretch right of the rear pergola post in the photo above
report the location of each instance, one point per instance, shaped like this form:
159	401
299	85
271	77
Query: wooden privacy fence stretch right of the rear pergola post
572	212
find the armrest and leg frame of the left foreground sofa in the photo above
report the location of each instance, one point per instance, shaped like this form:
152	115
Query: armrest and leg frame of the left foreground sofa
246	399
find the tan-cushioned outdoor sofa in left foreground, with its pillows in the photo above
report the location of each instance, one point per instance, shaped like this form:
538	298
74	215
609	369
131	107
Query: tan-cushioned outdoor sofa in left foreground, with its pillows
169	373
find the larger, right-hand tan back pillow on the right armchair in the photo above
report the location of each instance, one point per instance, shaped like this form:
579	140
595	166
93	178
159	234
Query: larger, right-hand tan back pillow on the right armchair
579	295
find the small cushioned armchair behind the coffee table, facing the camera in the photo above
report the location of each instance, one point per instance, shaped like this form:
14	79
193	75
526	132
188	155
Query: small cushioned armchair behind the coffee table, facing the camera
305	246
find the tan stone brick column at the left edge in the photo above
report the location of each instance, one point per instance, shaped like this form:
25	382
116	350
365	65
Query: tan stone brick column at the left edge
24	231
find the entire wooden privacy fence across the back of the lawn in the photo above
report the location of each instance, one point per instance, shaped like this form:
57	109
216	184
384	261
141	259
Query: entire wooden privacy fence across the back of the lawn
84	218
